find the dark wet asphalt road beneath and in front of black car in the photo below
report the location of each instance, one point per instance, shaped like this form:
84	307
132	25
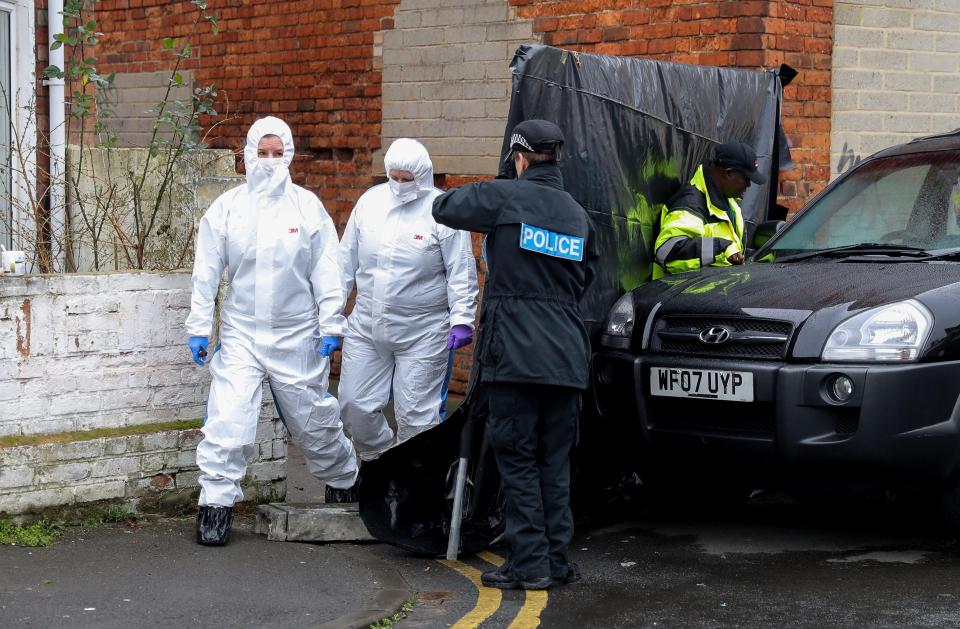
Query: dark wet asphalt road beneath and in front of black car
772	562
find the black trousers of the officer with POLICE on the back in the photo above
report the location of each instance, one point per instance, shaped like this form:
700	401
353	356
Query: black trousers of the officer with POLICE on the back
532	430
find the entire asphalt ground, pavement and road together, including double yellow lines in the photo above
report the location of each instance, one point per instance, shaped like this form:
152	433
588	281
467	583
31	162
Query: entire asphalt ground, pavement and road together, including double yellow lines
772	562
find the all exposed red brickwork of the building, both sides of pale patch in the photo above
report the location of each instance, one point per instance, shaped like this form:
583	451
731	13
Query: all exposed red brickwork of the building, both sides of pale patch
313	65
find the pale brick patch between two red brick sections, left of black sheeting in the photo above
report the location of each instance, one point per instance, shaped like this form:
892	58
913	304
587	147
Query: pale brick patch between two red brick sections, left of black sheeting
446	80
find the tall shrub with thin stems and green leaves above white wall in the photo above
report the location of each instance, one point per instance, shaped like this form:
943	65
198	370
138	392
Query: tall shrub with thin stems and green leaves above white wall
122	205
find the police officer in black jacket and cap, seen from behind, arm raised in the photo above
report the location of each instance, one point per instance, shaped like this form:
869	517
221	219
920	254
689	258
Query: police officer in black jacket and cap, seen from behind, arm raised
533	350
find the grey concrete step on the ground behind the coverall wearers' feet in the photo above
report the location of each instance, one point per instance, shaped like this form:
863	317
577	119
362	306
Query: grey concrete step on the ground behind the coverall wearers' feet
282	522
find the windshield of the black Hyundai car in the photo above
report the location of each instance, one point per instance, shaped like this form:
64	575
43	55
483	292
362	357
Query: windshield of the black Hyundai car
893	206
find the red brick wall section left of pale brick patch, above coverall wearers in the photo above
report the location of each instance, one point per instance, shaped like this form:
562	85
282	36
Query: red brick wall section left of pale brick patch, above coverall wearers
302	61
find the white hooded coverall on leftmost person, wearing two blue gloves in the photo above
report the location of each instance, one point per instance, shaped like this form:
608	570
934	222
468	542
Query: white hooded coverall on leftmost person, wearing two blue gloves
279	247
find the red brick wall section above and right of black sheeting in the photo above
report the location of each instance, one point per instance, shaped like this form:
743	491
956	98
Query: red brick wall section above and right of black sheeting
754	34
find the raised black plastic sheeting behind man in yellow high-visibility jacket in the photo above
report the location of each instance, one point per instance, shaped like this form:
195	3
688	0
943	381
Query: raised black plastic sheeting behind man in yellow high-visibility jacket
636	130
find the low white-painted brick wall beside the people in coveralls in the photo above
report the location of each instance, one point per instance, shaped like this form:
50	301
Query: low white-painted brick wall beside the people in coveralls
107	350
